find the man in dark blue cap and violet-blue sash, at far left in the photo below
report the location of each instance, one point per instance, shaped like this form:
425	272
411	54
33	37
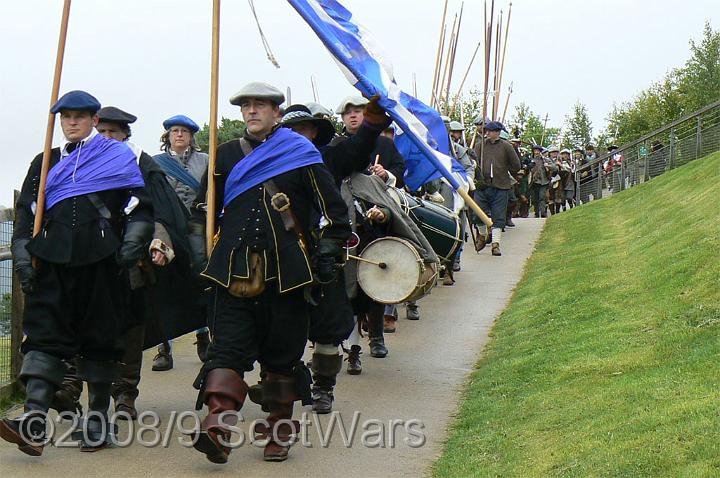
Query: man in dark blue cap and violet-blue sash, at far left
97	222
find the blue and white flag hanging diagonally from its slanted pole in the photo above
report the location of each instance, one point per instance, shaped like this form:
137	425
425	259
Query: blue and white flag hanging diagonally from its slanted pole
424	143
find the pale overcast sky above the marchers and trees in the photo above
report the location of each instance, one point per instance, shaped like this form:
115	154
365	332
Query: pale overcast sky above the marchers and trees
152	57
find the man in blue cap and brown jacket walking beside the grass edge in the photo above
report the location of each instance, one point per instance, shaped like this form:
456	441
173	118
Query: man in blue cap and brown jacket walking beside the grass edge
497	161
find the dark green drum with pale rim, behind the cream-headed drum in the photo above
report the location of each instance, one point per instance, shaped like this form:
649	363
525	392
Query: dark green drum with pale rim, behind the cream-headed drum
439	225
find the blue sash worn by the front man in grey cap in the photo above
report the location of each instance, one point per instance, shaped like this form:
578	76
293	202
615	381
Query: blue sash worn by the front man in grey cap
283	151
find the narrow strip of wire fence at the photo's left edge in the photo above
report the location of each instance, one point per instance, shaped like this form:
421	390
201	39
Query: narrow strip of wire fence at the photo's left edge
6	348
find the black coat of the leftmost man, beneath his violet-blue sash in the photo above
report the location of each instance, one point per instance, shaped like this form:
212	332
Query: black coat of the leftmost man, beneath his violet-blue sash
74	232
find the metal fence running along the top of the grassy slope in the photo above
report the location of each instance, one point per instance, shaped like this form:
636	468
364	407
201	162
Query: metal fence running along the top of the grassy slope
686	139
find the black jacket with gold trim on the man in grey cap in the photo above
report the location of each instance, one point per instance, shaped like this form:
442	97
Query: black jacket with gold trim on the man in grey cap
249	223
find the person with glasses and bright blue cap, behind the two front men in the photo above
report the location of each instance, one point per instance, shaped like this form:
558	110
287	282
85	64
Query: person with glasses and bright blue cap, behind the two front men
185	166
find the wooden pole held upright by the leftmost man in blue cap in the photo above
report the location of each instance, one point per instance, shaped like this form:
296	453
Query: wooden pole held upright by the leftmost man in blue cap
40	209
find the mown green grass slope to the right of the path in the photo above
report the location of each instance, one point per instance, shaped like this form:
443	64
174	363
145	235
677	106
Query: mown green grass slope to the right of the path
607	360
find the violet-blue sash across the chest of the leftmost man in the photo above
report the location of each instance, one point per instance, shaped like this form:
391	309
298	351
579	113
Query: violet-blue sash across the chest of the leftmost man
101	164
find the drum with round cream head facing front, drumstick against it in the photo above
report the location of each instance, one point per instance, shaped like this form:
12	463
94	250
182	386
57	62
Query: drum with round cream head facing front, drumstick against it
404	277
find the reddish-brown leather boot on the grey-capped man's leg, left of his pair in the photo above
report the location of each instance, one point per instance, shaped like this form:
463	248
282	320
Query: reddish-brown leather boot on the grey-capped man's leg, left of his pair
224	391
